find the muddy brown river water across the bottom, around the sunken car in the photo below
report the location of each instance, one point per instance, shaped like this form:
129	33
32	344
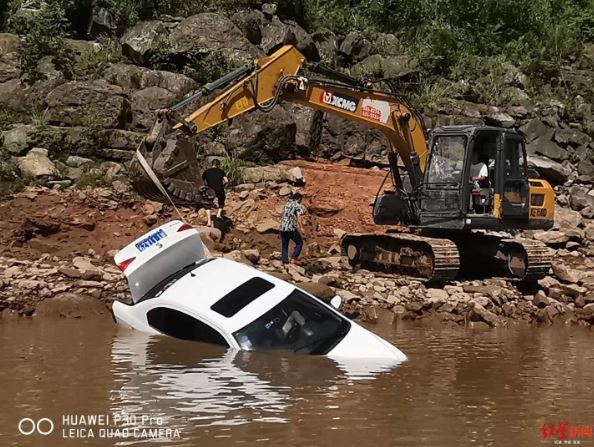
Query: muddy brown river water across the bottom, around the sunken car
459	387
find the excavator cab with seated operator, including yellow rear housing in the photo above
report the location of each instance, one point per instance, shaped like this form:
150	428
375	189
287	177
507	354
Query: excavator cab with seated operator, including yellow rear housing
477	178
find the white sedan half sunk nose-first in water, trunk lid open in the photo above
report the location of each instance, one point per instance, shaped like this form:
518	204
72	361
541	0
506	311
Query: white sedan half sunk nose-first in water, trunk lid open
178	291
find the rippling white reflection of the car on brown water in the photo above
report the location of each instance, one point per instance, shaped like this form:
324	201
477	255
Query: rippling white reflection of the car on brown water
209	386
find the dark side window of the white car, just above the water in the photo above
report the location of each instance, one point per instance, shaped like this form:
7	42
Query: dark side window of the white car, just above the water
180	325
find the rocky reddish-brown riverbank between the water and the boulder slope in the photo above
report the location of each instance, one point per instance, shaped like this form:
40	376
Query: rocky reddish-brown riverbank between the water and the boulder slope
58	246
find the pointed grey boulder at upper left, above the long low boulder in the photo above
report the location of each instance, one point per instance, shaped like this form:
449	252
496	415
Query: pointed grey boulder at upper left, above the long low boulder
142	40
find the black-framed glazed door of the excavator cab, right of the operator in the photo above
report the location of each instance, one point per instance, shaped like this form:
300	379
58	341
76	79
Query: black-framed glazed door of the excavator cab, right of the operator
512	184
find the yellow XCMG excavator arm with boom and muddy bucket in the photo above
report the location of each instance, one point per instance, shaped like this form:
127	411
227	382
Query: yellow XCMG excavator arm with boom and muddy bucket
261	86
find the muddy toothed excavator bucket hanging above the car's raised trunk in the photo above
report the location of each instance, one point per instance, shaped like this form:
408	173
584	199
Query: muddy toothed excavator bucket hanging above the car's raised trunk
173	161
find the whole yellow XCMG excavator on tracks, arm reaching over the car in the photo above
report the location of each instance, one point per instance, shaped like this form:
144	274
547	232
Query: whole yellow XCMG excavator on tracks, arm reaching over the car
453	191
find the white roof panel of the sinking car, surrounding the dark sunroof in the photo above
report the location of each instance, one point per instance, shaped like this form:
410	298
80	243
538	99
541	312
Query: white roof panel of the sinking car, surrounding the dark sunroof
199	289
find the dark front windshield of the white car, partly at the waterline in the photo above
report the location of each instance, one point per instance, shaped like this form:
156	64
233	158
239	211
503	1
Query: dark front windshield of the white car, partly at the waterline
298	323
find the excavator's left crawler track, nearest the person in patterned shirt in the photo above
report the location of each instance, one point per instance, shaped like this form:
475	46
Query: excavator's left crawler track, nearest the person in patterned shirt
432	258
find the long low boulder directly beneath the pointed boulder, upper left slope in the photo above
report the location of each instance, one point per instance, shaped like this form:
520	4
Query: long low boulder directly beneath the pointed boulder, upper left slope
131	77
